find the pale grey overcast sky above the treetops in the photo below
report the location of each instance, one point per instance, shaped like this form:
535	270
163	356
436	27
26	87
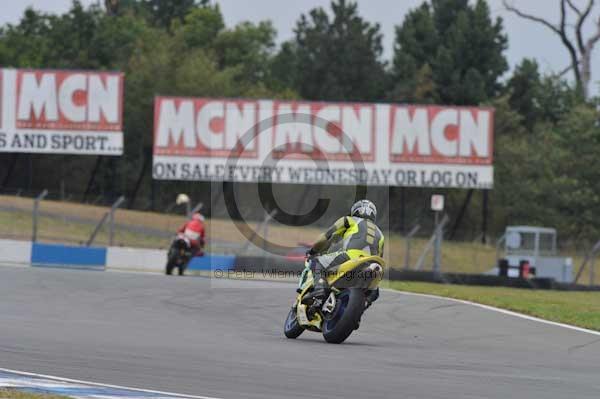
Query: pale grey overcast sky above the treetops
526	39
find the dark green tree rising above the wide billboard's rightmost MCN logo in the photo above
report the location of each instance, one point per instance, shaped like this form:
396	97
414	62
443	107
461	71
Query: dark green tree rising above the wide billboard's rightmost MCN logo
461	47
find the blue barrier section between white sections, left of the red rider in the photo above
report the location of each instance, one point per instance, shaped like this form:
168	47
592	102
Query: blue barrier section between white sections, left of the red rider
56	255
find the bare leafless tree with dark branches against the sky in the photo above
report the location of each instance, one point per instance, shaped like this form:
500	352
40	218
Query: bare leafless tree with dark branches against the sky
580	49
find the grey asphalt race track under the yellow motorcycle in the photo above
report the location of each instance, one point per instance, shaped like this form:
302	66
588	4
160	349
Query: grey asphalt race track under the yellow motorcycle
224	339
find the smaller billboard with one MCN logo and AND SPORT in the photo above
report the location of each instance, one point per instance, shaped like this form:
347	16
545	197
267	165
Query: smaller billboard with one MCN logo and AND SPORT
61	112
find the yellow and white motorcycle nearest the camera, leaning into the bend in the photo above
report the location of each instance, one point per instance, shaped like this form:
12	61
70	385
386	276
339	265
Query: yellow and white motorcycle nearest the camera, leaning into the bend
352	286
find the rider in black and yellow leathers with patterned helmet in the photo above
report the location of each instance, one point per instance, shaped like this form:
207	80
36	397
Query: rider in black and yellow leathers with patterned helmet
358	235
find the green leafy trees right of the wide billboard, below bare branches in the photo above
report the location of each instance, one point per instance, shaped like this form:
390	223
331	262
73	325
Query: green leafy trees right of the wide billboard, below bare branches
545	177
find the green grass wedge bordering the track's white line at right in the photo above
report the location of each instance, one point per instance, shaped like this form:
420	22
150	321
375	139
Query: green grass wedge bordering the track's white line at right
576	308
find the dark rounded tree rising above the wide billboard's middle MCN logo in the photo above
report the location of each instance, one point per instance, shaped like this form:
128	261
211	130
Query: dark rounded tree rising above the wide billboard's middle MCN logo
335	58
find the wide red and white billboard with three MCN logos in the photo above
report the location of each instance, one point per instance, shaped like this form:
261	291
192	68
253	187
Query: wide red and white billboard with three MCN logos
322	143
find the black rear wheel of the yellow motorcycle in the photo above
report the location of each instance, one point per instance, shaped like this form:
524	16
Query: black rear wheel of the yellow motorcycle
350	305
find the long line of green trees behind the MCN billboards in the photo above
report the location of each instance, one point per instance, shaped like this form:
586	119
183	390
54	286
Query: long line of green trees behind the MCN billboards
547	132
